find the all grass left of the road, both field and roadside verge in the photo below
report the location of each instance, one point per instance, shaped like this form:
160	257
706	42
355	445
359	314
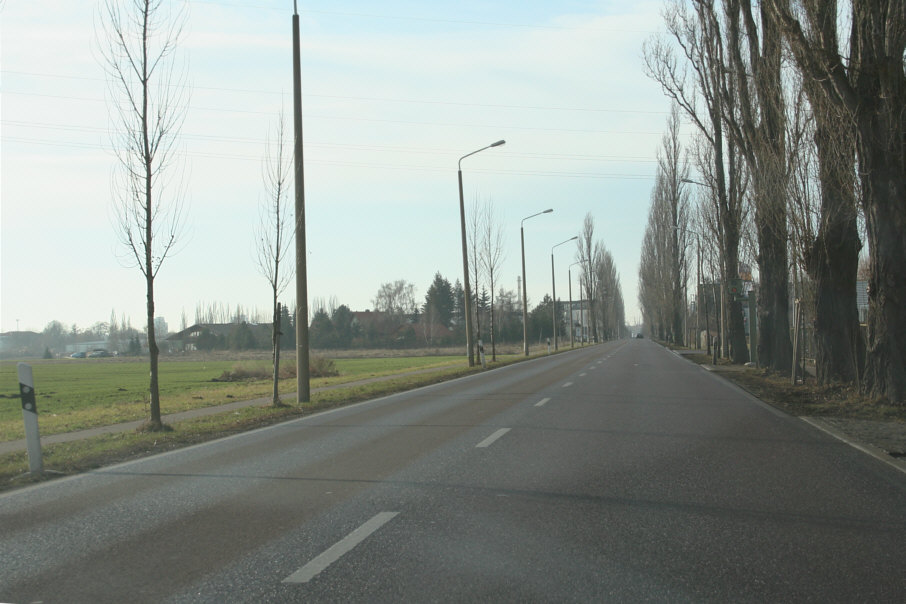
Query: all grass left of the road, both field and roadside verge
82	384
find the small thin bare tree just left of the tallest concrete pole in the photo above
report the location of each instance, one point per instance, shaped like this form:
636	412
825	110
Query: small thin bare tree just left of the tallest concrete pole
275	232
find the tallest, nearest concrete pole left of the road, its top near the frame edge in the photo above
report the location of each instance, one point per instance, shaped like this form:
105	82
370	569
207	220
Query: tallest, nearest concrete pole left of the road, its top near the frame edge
302	368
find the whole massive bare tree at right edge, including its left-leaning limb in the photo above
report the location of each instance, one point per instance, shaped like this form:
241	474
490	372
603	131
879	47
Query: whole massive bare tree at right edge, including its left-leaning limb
867	85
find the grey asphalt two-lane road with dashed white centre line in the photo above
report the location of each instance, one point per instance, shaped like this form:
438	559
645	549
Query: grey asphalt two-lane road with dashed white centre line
612	473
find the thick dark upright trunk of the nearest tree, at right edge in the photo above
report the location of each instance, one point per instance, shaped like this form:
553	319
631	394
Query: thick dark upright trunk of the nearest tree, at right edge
880	85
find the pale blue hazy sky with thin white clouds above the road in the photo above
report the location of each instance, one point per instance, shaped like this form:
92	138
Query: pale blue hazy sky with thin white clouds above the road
394	93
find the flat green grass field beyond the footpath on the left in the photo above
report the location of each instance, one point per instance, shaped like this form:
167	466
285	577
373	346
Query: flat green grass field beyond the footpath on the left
73	394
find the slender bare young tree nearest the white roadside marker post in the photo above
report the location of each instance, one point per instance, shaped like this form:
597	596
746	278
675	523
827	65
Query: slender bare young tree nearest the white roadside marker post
138	42
